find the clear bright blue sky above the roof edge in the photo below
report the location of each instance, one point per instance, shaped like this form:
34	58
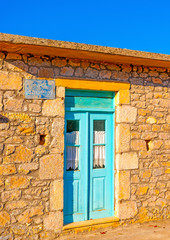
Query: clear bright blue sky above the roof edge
138	25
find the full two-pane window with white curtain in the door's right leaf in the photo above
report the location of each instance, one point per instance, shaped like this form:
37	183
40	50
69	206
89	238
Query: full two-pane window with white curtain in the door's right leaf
99	144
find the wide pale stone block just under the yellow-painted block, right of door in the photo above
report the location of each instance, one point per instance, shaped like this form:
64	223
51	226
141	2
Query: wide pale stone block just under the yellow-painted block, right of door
126	114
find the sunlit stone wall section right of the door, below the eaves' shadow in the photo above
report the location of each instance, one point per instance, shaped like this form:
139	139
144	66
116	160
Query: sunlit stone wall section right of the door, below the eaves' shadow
143	153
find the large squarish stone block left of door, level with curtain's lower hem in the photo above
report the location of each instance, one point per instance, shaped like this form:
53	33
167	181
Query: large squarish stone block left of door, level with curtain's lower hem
51	167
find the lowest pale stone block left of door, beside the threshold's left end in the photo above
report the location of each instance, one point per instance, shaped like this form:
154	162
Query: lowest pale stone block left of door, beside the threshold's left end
53	221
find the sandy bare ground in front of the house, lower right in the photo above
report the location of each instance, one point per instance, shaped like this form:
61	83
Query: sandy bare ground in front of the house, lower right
157	230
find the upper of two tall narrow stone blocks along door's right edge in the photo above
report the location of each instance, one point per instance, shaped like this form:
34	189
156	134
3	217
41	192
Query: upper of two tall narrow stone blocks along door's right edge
122	138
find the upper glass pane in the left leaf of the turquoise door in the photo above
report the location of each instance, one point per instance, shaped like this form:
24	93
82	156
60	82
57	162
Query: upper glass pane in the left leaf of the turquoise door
72	134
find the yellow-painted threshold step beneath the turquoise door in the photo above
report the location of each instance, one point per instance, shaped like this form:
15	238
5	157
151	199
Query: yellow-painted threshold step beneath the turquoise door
88	223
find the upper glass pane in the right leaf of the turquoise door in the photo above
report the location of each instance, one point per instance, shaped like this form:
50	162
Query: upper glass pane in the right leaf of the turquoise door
99	131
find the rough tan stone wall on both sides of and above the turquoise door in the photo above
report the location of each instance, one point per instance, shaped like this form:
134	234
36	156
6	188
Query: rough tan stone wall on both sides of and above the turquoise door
32	144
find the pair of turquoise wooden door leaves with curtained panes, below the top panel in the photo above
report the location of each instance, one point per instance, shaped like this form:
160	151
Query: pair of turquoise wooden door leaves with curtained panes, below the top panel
88	168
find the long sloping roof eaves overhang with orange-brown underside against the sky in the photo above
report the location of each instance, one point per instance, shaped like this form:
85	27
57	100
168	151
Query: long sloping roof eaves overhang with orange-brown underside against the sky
45	47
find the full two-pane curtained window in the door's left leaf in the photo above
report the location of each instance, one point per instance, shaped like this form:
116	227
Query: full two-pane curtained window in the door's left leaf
72	140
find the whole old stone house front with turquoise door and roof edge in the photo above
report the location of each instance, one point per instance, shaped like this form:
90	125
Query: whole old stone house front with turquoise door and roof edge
96	153
